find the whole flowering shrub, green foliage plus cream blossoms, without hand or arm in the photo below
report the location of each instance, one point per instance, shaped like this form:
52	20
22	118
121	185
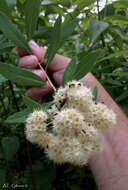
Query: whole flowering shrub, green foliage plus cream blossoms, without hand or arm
96	42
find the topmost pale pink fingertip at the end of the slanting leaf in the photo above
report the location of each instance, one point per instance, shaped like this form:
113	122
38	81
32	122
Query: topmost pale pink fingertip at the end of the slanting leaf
37	51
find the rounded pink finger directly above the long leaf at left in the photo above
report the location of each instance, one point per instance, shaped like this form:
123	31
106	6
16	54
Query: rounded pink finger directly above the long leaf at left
29	61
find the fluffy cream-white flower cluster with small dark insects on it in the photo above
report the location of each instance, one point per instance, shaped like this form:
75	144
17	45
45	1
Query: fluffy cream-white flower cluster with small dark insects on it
77	123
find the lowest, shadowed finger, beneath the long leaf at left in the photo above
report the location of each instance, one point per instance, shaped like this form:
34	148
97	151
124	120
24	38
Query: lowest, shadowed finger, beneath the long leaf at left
36	93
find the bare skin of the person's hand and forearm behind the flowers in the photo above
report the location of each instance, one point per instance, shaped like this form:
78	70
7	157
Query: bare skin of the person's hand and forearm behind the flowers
110	168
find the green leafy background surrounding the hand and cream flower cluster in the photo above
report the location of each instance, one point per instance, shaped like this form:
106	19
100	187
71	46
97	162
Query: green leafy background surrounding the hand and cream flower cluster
96	40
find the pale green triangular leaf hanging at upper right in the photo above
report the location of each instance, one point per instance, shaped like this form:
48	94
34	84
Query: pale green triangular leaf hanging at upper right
96	29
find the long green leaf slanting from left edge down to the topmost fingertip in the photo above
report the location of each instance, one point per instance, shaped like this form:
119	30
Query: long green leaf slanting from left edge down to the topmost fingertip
12	33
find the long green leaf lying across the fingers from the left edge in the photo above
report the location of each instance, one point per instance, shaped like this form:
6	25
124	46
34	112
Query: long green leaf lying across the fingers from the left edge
20	76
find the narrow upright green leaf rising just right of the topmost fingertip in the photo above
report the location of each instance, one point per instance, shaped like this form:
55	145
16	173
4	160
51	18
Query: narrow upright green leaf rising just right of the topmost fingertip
55	41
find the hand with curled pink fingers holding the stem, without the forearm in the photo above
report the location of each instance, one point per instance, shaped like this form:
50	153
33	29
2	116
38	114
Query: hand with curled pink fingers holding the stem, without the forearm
55	70
